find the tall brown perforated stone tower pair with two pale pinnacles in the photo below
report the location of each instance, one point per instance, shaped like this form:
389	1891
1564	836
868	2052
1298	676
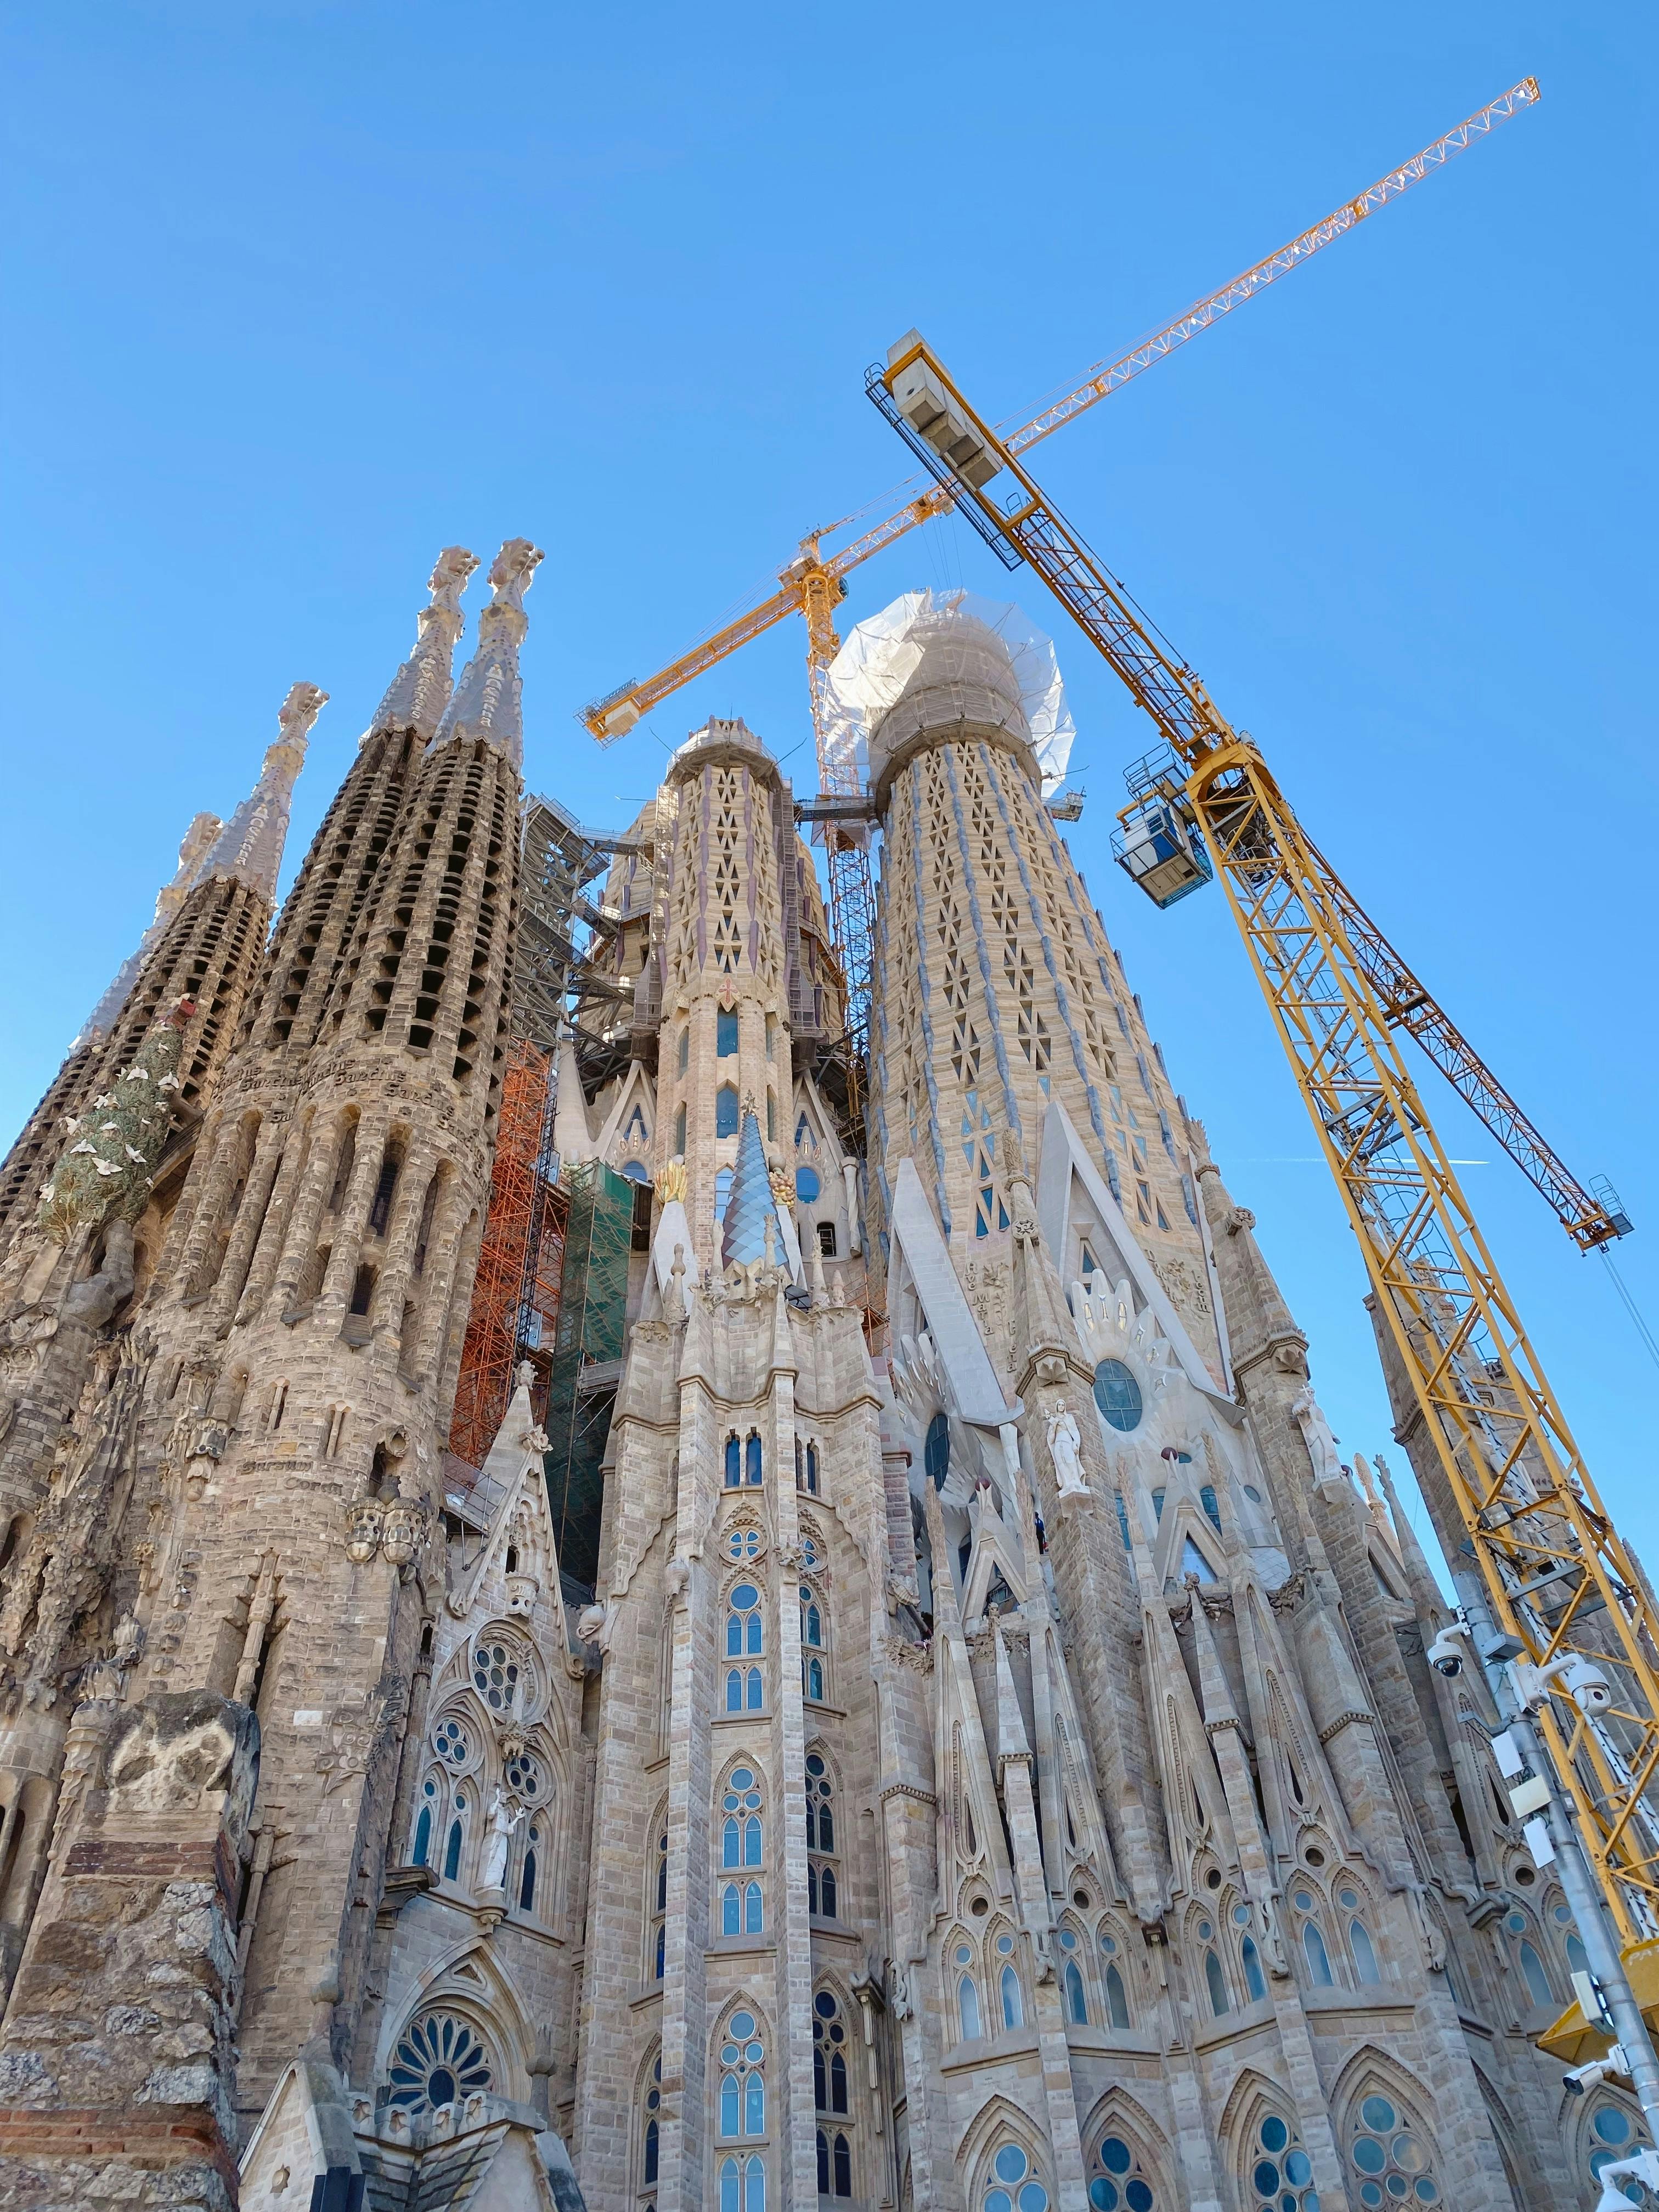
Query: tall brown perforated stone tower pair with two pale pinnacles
302	1342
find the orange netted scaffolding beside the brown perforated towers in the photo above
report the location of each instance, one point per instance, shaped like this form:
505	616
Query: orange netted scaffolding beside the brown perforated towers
521	1262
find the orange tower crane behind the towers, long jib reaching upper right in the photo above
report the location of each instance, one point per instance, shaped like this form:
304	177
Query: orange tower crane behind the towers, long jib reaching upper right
815	585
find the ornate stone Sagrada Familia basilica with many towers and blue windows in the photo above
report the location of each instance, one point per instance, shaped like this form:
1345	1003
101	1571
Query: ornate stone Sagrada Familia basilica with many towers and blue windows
990	1760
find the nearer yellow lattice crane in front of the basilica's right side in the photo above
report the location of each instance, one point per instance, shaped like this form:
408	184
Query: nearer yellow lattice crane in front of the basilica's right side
1556	1569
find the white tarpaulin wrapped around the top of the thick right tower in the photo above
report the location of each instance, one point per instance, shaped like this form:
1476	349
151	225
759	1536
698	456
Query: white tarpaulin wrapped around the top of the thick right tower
881	656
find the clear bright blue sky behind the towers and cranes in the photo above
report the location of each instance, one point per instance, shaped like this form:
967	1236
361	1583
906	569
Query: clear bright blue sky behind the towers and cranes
300	293
